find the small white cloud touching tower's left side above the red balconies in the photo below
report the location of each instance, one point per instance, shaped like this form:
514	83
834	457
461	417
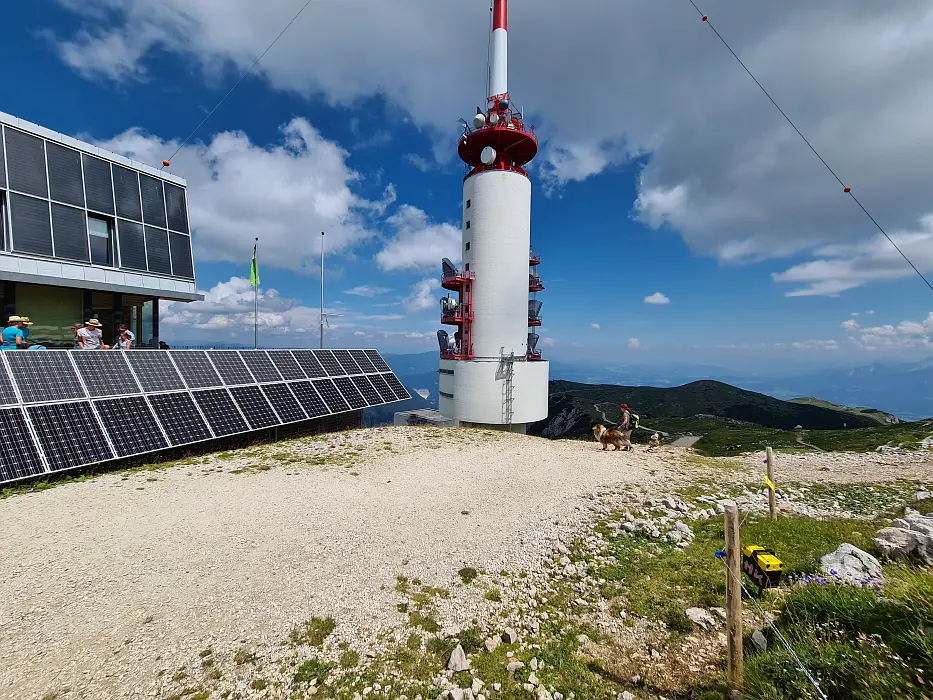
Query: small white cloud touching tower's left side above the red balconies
417	243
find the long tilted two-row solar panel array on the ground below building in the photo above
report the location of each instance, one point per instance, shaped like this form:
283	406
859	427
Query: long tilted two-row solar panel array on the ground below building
61	409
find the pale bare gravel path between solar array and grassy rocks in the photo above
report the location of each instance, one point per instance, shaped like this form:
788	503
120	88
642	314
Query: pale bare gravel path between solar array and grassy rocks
108	582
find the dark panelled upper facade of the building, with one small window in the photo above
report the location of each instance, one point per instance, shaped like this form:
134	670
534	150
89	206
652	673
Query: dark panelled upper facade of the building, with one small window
61	203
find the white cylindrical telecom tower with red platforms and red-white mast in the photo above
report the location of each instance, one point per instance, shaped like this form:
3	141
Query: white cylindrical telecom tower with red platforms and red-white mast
491	371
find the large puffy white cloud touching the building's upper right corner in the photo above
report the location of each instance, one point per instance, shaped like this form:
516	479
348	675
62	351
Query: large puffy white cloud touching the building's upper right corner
285	194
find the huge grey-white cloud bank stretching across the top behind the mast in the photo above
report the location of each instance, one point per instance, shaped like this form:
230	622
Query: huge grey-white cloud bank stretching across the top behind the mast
720	164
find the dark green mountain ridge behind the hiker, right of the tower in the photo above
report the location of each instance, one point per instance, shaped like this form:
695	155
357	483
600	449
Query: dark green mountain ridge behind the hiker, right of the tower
575	407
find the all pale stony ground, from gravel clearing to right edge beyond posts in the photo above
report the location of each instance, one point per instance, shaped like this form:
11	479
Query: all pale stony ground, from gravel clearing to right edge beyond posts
349	564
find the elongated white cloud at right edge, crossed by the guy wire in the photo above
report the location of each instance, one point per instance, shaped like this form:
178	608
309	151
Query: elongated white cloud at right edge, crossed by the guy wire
846	266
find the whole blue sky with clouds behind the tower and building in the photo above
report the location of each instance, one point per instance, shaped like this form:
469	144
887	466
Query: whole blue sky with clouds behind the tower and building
678	217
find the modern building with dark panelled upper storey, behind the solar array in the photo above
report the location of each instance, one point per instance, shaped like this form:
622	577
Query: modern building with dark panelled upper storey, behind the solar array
88	233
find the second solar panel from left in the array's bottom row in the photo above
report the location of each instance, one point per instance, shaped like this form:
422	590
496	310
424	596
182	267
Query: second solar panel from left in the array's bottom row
69	434
